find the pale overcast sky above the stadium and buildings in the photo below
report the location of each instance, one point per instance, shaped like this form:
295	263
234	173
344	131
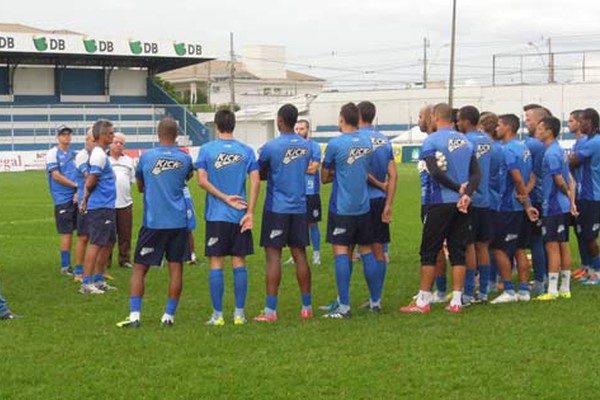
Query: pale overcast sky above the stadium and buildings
376	42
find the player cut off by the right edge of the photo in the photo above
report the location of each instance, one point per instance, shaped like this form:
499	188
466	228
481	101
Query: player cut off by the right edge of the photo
588	158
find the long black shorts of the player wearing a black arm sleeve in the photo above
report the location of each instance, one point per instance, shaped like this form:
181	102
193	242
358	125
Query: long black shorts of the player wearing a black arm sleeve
444	222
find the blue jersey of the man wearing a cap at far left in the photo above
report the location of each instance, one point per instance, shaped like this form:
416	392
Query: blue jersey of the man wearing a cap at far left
63	162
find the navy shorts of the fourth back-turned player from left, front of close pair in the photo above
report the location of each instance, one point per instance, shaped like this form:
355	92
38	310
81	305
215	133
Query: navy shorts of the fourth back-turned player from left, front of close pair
350	230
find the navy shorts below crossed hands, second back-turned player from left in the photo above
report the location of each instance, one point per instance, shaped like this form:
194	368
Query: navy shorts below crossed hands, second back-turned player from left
226	239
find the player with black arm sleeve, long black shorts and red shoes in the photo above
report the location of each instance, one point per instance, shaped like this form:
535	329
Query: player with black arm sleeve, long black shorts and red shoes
454	176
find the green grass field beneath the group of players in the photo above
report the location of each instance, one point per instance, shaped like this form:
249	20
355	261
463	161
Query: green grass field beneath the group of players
68	345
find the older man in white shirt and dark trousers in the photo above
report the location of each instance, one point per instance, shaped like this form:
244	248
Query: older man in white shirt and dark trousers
124	170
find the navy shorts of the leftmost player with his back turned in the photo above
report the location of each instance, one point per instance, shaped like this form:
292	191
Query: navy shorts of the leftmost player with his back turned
154	244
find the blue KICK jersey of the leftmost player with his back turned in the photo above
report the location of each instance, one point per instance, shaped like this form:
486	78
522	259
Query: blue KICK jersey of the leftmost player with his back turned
164	171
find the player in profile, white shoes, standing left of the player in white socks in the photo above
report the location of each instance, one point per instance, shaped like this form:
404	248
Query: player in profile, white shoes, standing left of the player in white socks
516	174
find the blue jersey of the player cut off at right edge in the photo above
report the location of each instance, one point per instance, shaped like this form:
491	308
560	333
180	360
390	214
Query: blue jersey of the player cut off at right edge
589	155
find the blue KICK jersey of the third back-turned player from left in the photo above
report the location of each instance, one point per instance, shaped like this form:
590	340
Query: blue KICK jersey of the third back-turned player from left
286	159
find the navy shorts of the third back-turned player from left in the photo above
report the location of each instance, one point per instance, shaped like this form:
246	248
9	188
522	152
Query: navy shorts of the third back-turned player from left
281	230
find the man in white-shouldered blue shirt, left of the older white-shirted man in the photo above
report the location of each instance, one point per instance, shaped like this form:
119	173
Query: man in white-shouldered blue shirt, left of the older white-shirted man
99	204
